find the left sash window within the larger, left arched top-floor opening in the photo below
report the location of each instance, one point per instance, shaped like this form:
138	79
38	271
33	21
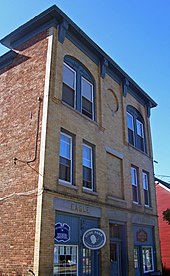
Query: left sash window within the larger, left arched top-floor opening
69	85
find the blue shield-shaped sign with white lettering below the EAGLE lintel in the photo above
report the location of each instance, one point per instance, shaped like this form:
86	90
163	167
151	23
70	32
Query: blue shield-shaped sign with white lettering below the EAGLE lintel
62	232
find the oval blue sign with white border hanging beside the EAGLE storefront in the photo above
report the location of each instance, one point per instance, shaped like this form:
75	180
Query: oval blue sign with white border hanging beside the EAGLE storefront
94	238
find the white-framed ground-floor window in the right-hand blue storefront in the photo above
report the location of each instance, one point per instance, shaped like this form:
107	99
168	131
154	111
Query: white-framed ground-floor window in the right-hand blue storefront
147	256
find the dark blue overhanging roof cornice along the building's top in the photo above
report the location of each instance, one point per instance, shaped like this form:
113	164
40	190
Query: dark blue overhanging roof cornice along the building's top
53	16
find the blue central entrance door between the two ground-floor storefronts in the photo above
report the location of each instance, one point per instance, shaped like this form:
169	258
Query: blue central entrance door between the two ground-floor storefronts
115	259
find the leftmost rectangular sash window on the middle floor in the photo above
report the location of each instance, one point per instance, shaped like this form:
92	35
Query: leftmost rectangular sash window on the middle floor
65	169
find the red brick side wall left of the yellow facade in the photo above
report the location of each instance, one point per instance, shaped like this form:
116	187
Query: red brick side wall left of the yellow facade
21	84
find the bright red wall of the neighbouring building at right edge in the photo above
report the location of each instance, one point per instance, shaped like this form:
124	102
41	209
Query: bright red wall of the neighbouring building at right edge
163	202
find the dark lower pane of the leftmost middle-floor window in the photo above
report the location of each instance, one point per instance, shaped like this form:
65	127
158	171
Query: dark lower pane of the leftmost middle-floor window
64	169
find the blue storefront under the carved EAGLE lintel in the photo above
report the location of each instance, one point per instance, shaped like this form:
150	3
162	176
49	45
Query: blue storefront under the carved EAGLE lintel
71	256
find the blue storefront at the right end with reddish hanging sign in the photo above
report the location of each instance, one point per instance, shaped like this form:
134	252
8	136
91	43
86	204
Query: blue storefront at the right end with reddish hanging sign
144	251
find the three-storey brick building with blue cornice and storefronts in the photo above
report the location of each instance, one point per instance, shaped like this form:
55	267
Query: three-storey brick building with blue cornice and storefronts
76	155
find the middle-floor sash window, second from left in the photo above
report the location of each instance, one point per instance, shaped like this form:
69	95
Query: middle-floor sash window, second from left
87	159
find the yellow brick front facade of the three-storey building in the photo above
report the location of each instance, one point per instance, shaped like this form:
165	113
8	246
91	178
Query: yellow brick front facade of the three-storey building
112	169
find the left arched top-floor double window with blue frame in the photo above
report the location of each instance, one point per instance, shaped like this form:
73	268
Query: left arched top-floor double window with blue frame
78	87
